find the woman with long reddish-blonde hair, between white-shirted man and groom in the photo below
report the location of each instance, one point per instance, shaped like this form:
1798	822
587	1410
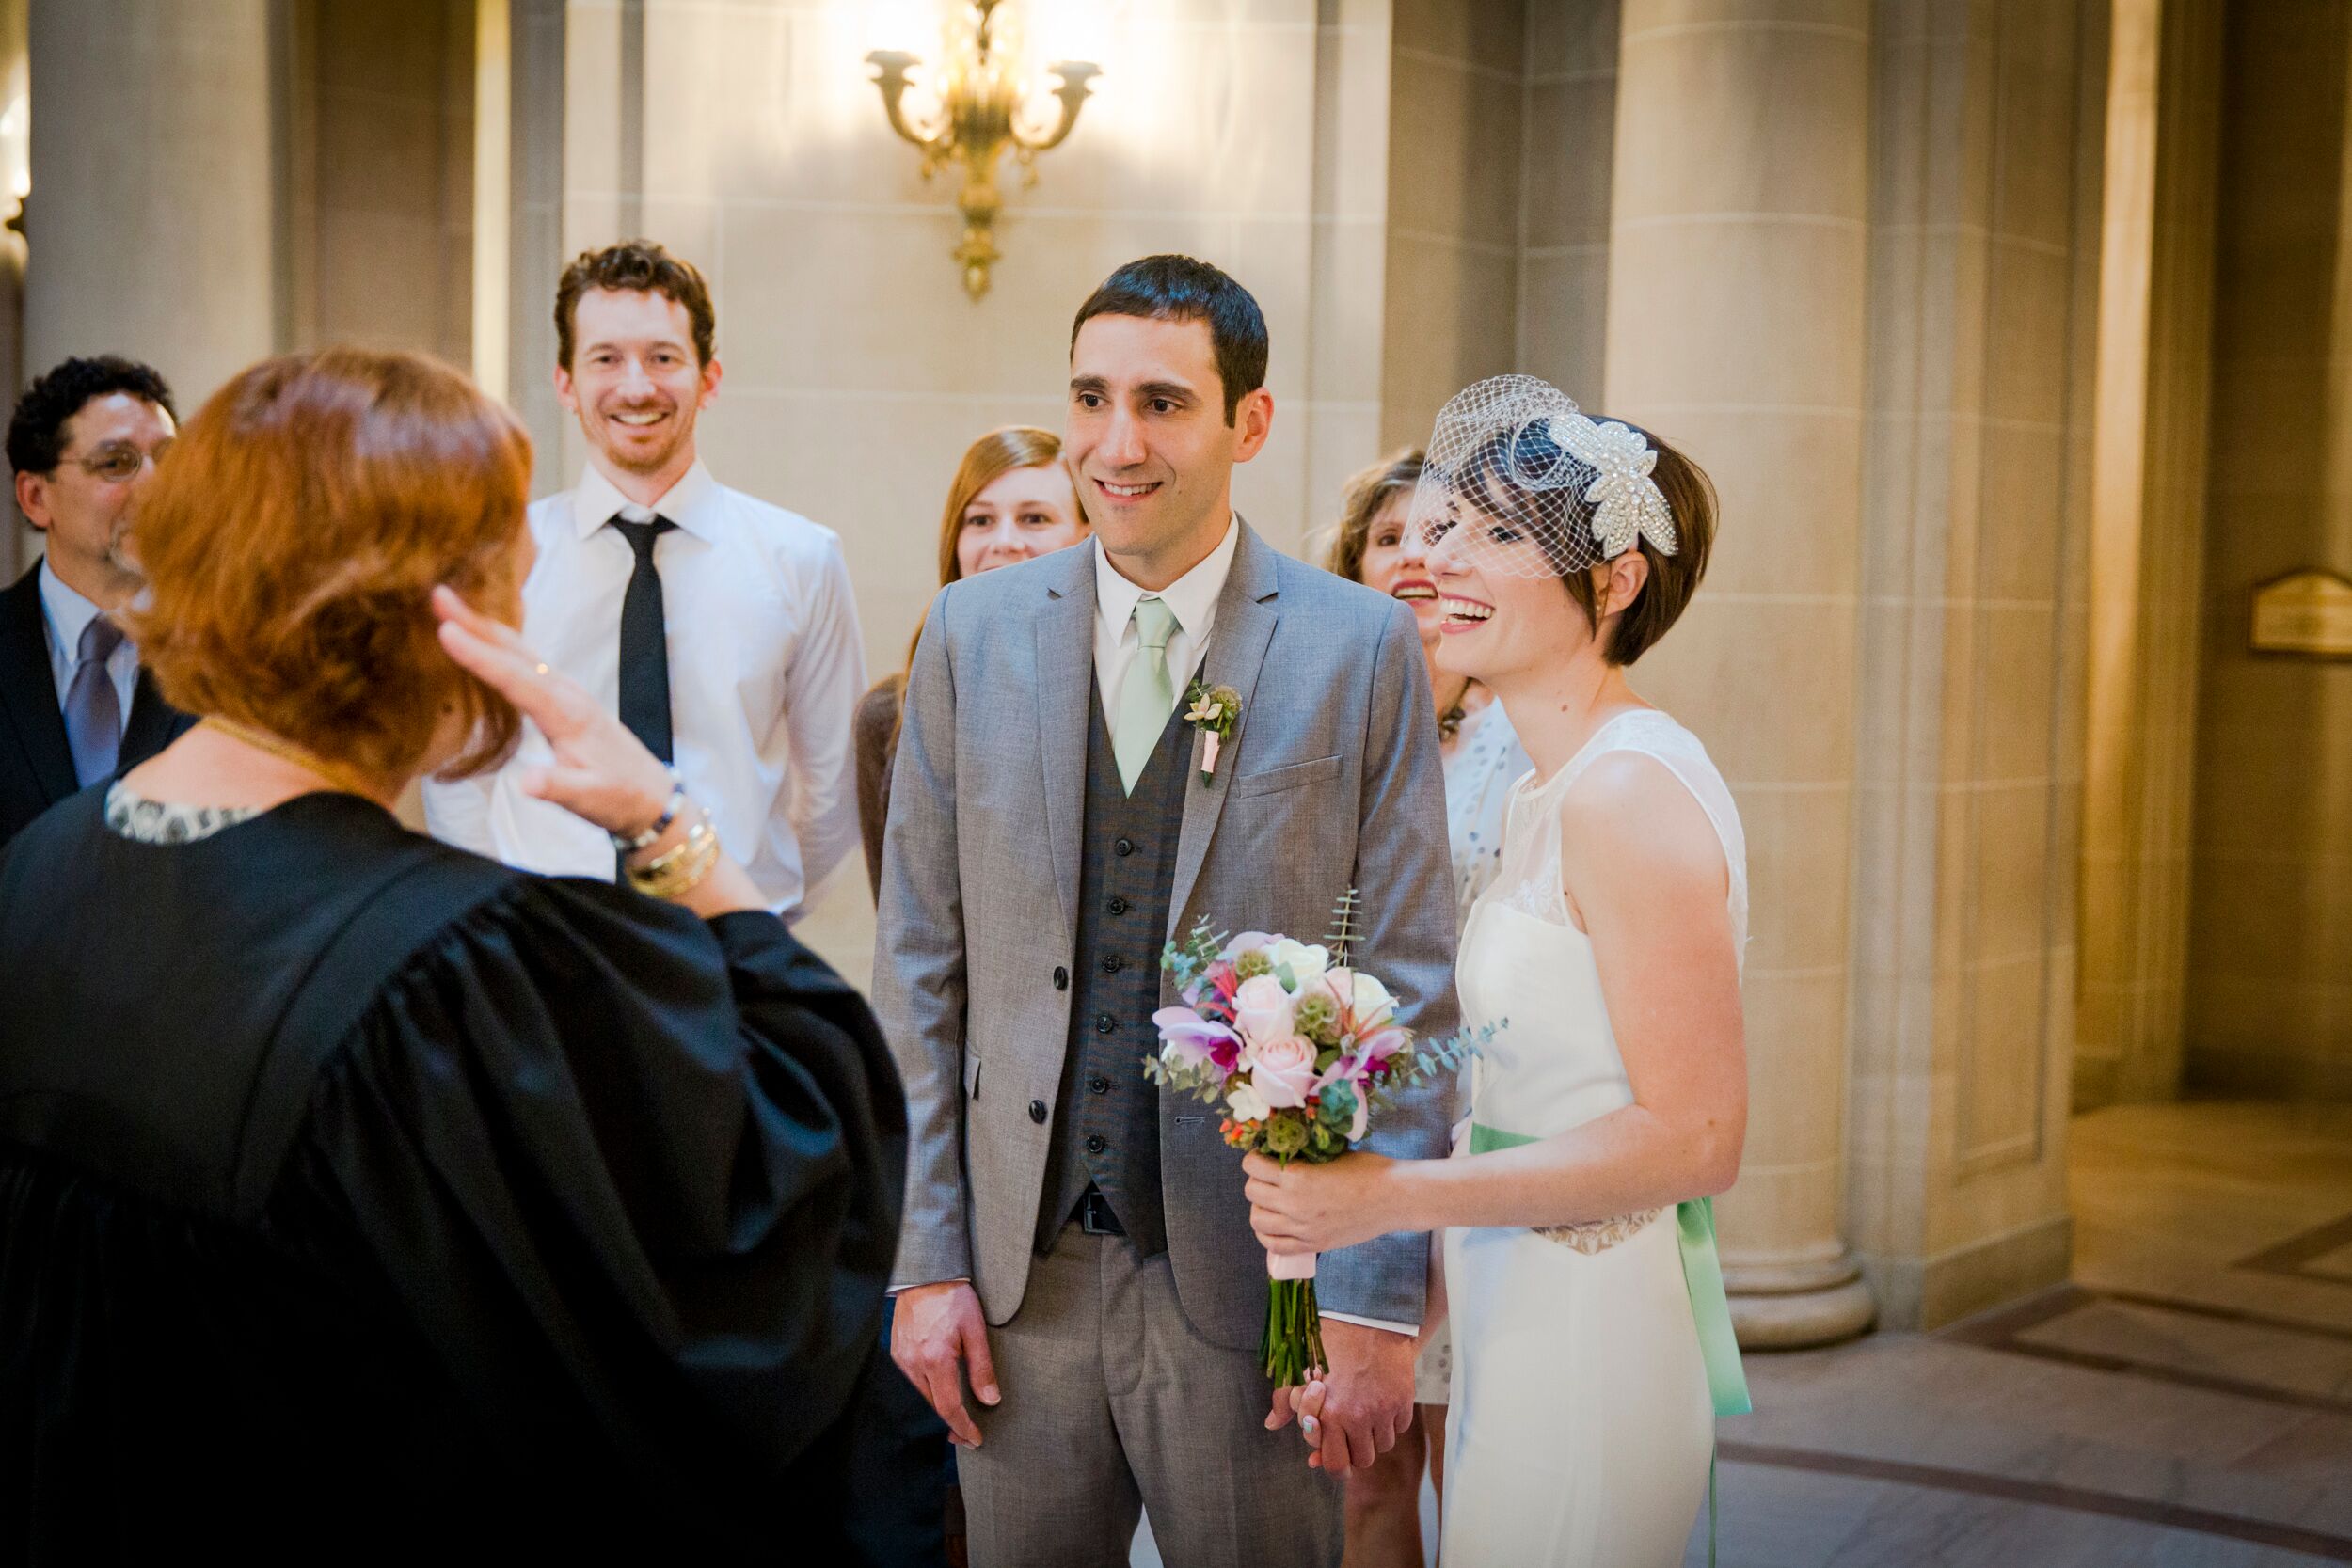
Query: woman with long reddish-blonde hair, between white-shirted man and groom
1010	502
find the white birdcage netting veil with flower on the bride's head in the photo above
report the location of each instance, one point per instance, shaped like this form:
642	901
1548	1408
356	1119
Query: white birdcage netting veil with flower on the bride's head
1521	483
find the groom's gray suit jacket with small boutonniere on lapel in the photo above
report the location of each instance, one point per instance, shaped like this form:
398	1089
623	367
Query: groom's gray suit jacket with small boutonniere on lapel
1330	782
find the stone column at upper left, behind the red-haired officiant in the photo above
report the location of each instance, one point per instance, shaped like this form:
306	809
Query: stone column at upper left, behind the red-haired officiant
152	225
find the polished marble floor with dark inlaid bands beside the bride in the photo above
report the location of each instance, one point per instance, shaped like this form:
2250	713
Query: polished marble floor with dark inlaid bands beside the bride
2186	1402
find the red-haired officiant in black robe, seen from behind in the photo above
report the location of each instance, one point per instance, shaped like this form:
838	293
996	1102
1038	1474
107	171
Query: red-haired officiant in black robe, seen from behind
363	1198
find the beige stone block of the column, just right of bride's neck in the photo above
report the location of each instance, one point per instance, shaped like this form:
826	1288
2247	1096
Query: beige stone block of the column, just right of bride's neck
1730	671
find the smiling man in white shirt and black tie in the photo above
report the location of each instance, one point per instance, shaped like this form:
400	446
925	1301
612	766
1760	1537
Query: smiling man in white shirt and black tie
721	629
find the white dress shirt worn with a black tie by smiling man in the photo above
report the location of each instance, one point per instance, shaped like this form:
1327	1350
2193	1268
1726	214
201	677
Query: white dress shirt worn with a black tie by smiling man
766	671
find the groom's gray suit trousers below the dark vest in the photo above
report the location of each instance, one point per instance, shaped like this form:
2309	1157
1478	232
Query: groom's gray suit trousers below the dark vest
1111	1407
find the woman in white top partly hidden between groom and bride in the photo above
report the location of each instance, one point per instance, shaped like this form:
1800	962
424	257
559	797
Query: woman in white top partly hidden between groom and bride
1483	760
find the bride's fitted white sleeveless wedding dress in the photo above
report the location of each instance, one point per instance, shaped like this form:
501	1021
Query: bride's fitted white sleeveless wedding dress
1584	1426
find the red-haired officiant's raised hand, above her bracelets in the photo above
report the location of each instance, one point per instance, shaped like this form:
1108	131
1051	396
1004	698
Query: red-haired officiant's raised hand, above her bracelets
601	772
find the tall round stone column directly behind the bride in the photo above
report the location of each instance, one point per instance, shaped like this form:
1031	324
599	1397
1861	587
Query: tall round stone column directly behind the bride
1737	281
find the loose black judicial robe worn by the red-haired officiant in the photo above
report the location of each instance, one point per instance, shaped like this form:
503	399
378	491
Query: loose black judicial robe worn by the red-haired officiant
363	1198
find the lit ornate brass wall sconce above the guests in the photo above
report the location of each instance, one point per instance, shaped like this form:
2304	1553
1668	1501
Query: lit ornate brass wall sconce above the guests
980	114
